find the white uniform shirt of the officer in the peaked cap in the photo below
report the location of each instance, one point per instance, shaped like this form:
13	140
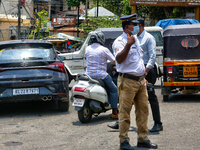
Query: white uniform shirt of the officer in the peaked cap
133	64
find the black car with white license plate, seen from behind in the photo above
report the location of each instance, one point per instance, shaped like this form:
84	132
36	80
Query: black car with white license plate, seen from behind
30	70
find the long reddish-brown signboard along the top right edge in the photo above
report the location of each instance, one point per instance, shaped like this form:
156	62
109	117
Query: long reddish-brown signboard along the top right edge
185	3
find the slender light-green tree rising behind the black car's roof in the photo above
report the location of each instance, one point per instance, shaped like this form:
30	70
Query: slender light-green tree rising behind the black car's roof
41	21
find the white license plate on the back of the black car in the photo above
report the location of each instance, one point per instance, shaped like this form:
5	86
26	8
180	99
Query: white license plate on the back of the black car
26	91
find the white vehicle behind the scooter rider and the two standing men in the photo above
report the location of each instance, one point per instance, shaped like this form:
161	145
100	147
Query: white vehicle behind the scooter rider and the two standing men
75	62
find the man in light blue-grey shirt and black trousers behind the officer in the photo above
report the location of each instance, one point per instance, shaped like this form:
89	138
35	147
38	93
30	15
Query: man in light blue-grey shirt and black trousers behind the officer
148	44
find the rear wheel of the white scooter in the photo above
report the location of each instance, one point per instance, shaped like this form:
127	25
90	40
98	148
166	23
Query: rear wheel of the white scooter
85	114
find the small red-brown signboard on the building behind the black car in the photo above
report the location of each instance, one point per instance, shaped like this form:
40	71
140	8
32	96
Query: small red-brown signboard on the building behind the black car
63	21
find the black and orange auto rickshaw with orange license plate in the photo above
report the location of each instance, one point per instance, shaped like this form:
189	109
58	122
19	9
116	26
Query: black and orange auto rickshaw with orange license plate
181	60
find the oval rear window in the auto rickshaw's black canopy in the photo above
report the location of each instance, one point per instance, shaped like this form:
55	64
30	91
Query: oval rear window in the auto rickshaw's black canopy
189	42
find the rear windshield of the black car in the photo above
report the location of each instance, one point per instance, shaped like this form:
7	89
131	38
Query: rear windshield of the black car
26	53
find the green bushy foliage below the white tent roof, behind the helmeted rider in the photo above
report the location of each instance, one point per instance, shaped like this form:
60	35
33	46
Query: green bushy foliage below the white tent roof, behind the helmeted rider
92	23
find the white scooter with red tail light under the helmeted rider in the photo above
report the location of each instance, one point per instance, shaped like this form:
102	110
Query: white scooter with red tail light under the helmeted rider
89	97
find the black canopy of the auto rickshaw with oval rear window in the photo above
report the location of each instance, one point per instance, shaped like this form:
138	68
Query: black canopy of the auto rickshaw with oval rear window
182	42
